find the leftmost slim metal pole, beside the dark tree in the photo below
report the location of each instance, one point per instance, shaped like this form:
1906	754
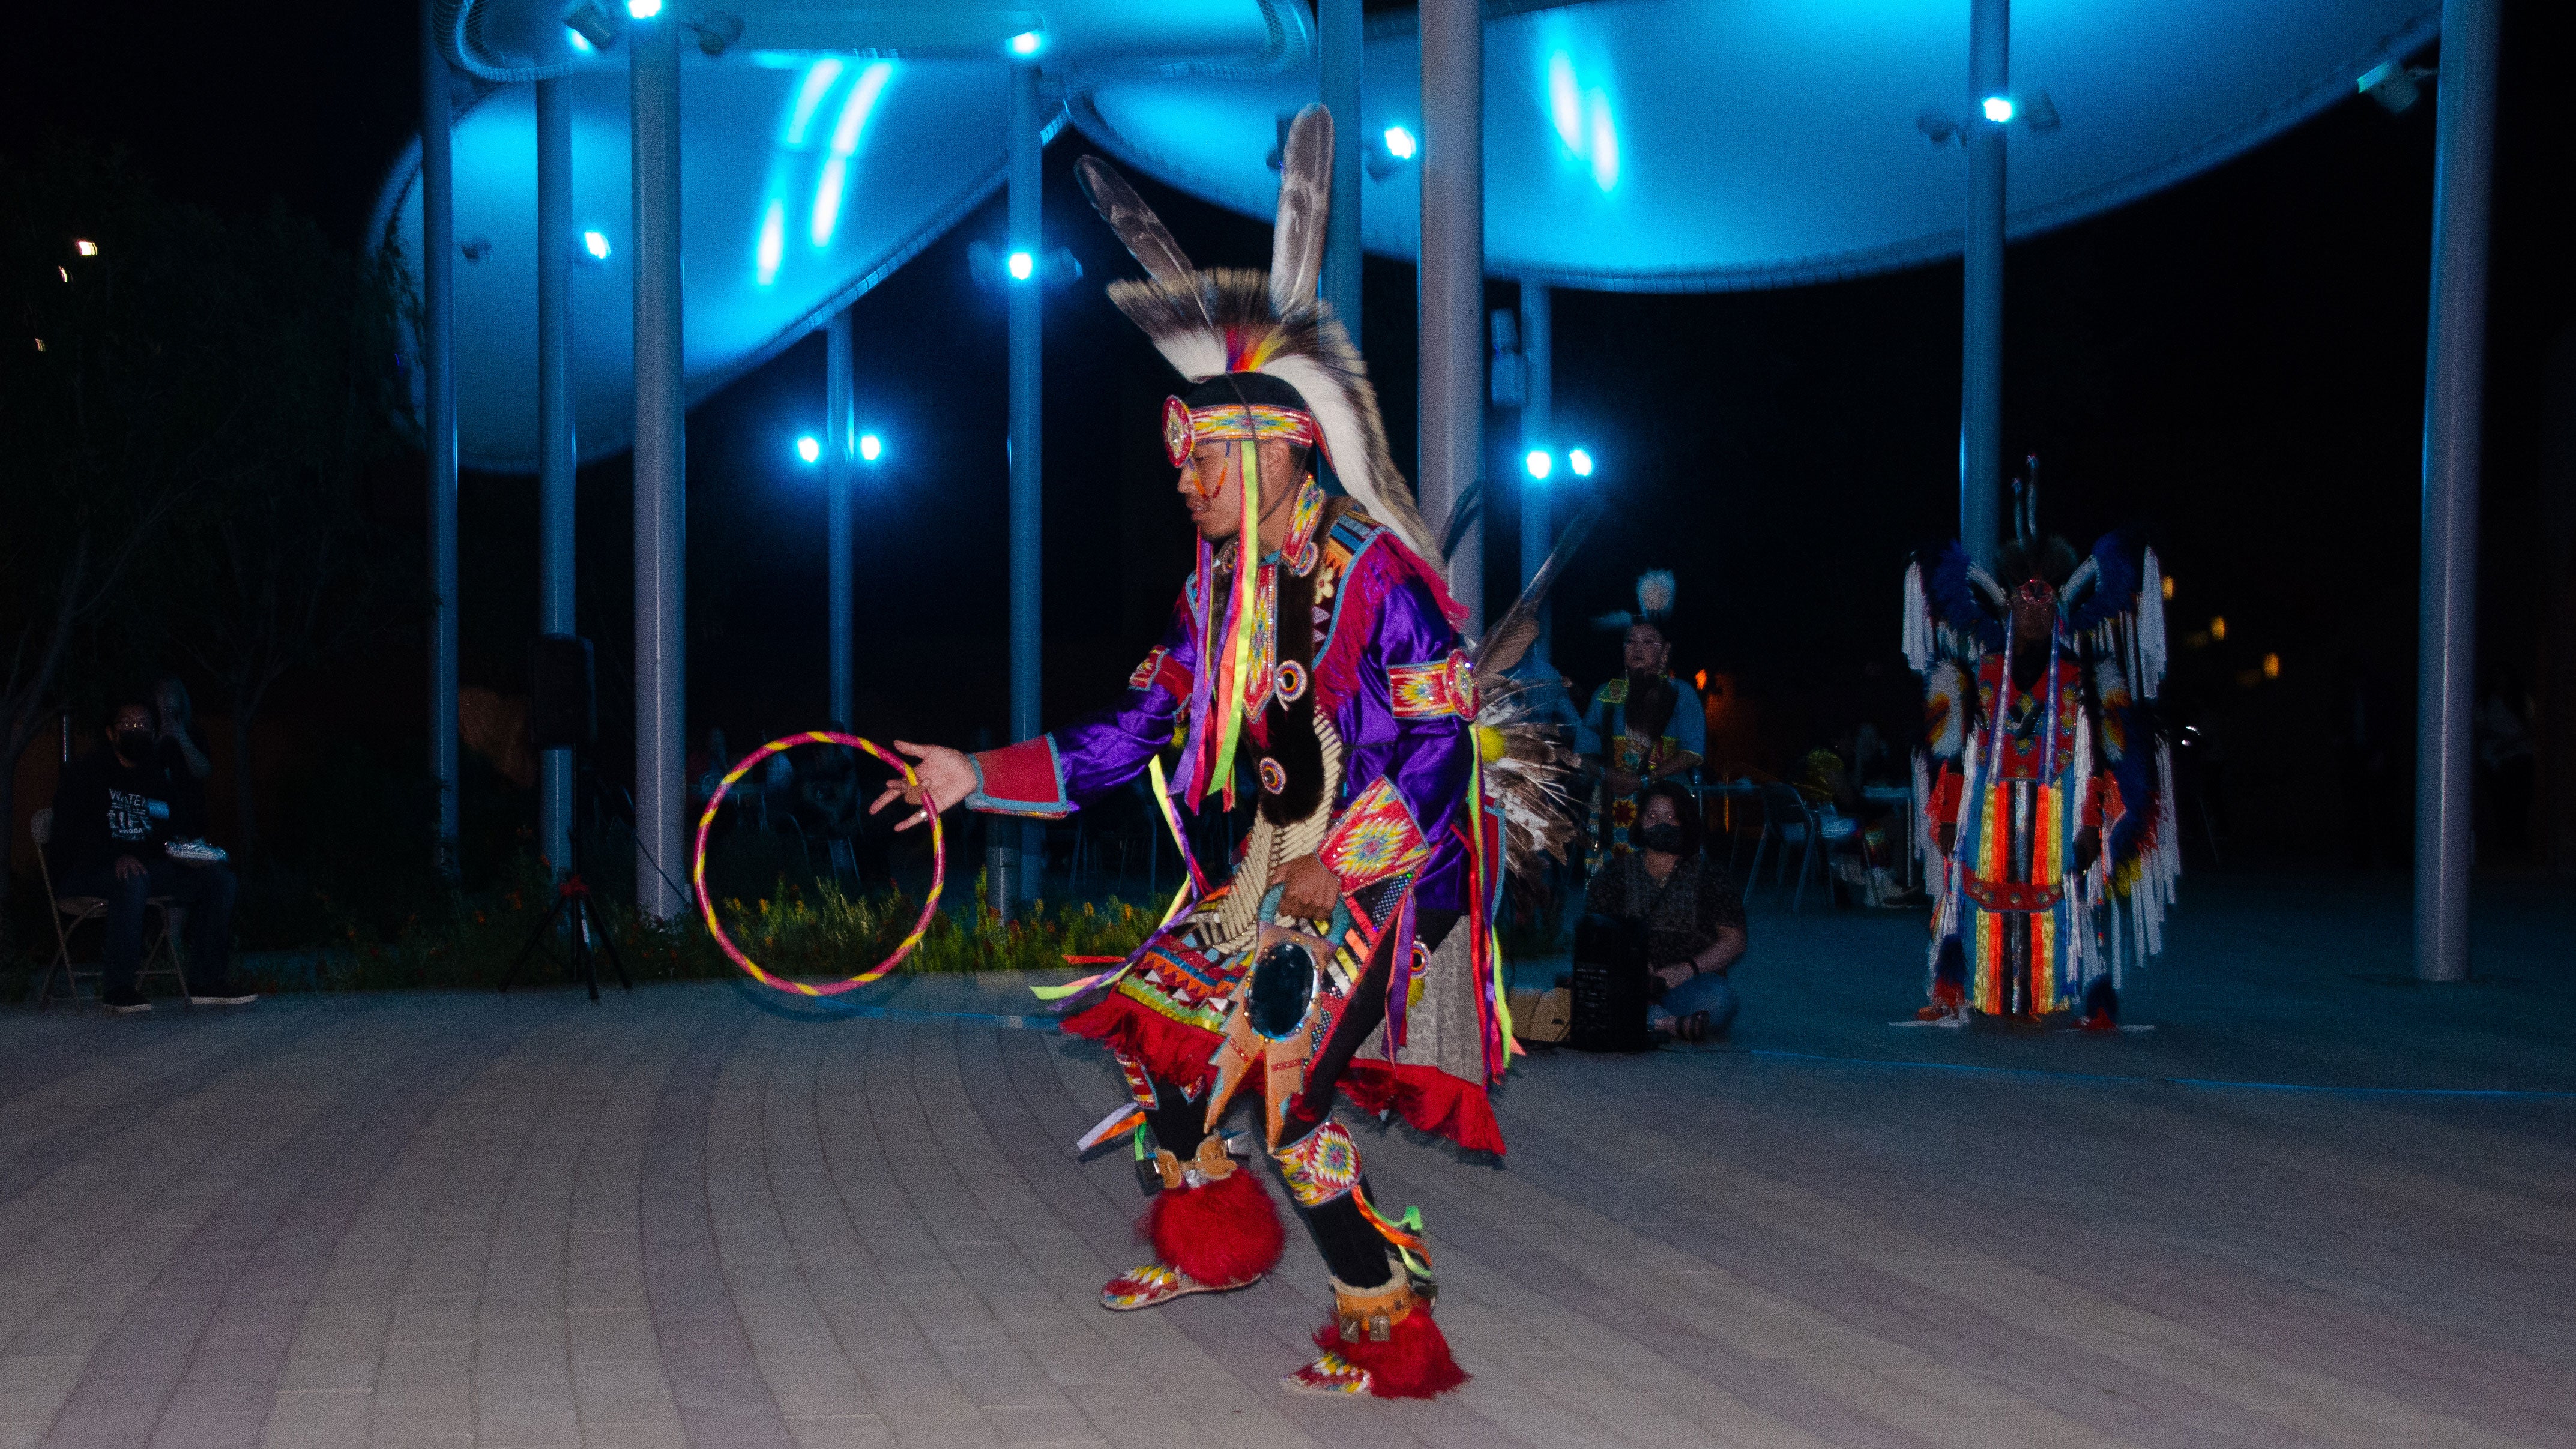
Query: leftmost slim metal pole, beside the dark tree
439	411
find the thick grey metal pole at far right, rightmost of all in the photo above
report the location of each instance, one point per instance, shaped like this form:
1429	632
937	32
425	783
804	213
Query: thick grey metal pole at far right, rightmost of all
2454	403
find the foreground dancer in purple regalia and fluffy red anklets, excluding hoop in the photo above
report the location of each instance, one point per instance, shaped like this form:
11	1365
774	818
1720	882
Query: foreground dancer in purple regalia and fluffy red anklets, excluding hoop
1351	951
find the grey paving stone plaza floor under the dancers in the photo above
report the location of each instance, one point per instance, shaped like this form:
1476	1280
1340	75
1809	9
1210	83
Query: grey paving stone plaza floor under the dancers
2315	1206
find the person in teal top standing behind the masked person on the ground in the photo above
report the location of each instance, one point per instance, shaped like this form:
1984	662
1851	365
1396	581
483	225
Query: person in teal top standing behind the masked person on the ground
1645	724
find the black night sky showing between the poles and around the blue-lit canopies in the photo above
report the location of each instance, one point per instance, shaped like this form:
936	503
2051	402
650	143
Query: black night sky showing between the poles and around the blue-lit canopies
2232	367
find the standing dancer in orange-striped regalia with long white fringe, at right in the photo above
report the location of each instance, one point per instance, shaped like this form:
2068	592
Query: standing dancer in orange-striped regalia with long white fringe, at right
2049	817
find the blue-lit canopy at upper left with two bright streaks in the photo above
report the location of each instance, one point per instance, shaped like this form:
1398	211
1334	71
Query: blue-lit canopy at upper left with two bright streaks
823	151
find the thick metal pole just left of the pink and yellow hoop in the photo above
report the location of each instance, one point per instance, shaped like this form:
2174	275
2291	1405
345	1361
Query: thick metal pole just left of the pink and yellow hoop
661	470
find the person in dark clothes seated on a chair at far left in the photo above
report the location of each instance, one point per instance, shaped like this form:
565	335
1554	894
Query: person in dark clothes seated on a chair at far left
115	815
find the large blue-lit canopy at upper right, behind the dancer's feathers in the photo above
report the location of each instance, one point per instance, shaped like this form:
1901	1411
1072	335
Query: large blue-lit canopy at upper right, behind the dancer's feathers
1658	145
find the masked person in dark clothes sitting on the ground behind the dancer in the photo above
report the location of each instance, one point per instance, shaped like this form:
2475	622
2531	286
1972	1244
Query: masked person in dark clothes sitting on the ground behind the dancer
1689	910
